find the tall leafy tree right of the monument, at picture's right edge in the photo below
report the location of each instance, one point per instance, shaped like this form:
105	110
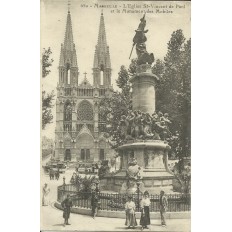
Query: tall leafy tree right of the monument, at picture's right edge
174	90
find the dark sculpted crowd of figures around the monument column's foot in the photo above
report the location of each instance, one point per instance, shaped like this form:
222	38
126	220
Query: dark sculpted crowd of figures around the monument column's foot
140	125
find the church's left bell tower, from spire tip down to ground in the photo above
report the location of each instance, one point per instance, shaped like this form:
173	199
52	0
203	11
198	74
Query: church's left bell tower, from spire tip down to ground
66	92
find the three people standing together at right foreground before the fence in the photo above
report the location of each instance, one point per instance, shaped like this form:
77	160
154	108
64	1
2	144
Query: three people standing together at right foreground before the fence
145	211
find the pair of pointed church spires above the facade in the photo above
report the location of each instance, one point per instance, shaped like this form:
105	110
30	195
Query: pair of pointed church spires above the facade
68	68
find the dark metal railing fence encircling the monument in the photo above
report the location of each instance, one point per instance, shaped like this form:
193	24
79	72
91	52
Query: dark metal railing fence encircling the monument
115	202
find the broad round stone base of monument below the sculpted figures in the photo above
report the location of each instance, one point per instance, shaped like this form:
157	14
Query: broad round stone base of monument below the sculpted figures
152	157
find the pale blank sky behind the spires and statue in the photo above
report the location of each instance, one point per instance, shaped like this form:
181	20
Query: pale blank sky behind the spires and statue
119	34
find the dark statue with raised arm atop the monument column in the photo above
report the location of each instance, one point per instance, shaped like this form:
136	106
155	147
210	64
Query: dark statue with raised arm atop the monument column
139	40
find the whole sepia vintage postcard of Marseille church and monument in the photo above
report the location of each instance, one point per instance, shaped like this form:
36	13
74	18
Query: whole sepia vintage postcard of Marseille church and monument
116	115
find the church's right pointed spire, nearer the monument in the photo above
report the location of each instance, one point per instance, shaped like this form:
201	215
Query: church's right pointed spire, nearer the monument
102	58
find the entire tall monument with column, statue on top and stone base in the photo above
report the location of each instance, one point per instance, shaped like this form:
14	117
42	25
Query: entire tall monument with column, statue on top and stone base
143	155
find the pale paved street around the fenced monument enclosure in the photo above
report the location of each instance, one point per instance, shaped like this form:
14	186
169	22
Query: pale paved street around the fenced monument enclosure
51	217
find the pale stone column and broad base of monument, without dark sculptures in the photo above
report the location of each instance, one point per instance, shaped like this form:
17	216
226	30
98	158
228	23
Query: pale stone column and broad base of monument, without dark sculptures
150	155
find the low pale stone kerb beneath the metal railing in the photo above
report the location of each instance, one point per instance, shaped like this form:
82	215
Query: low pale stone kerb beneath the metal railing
121	214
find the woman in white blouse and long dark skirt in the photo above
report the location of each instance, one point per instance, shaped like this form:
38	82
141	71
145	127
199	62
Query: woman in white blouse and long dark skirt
145	211
